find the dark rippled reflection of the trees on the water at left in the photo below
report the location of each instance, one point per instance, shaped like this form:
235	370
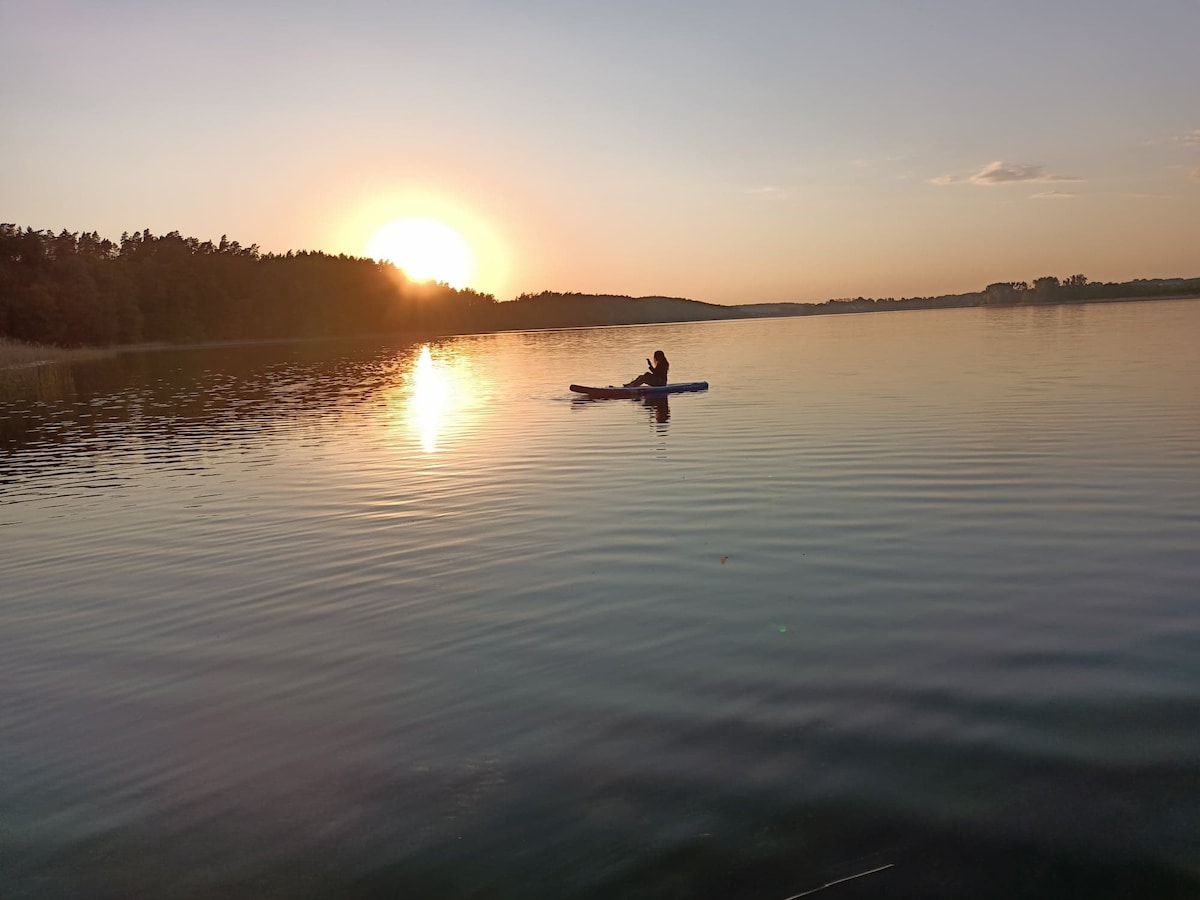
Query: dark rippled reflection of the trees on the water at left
237	392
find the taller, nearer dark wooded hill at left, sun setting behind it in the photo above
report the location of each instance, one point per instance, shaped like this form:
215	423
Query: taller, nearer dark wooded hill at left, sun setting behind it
73	290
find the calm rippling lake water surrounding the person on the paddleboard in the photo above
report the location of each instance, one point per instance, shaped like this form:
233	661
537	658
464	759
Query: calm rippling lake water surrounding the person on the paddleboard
325	621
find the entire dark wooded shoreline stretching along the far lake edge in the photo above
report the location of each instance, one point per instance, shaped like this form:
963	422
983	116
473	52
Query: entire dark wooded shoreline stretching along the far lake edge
82	290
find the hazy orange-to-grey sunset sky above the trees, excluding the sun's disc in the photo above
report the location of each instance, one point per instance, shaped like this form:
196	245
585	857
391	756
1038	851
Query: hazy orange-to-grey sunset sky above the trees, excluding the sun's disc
729	153
